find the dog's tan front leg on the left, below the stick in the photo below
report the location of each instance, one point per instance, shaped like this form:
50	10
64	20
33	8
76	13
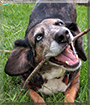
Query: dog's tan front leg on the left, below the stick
36	98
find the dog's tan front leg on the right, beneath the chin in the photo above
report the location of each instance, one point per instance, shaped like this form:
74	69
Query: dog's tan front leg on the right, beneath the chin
73	89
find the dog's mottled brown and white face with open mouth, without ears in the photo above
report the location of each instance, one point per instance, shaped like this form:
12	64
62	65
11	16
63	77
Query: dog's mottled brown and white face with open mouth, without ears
51	39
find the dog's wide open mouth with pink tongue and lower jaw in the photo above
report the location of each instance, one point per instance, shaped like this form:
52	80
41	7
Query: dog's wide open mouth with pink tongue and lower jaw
67	58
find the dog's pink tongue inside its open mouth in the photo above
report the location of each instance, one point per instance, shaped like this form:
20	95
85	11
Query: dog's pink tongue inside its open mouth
67	56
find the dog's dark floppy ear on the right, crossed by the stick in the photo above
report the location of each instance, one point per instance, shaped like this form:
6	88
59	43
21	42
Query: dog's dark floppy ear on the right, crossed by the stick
79	42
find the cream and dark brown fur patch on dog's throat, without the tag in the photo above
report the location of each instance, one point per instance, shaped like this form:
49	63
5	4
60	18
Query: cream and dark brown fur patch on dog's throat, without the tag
51	71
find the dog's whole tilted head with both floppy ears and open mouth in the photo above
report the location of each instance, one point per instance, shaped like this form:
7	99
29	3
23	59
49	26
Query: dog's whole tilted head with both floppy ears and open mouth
50	38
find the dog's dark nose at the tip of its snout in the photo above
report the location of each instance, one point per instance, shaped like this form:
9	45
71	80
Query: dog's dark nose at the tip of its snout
62	36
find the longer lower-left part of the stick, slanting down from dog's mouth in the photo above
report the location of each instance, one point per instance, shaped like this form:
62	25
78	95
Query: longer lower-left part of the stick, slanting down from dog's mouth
31	75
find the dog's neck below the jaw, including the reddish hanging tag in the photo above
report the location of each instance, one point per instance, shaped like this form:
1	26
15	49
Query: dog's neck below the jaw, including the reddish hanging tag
50	71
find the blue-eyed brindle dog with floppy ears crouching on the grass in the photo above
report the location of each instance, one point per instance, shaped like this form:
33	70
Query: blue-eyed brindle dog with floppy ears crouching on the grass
50	32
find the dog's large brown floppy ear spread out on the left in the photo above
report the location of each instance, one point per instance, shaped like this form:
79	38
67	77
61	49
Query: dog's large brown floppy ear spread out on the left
20	59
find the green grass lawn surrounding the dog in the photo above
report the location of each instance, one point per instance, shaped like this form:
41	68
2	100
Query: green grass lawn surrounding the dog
17	16
